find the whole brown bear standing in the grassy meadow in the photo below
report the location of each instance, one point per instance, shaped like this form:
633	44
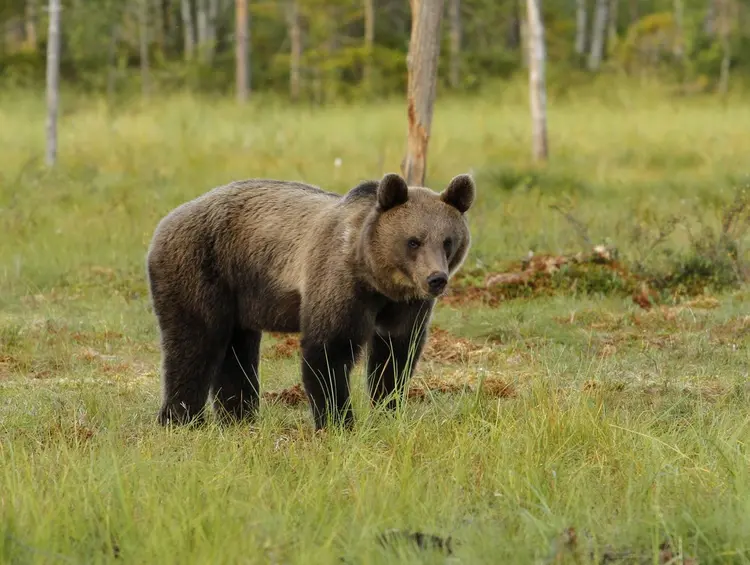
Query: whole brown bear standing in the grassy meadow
362	270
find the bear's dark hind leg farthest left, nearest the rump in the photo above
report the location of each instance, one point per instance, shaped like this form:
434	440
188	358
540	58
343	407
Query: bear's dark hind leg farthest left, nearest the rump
192	356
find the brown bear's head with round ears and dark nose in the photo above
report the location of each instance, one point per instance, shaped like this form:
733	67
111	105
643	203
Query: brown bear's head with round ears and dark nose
416	239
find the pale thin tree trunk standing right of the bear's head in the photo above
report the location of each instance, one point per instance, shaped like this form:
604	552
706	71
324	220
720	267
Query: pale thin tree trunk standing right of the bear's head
537	86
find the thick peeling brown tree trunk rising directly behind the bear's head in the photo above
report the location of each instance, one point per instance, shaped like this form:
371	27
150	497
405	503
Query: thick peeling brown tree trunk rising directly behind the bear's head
422	64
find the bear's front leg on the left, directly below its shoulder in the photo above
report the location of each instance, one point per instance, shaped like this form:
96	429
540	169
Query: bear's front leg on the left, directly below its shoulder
325	374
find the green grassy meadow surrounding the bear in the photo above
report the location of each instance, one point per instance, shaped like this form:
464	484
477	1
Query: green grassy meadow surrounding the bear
629	424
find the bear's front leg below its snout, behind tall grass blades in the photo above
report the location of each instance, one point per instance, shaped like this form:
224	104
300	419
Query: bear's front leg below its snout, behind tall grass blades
395	350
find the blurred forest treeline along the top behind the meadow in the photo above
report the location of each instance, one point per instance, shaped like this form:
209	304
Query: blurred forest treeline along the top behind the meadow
328	49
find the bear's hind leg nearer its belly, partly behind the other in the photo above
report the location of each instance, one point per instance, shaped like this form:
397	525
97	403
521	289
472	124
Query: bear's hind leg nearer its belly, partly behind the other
236	385
